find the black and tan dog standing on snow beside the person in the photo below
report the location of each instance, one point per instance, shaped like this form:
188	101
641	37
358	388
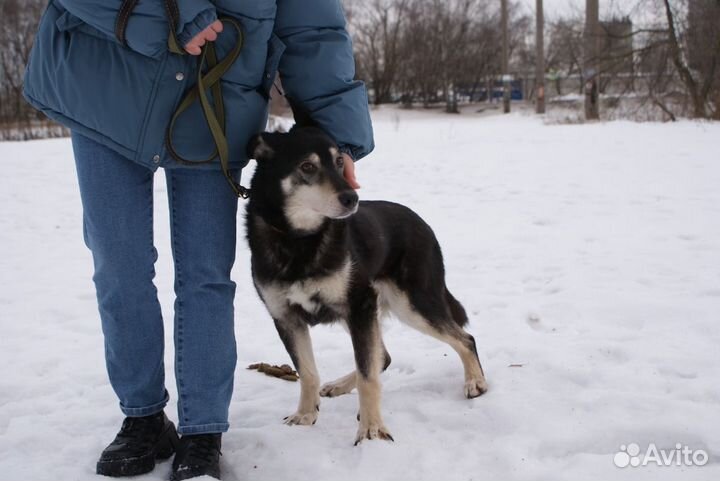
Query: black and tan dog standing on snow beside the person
320	256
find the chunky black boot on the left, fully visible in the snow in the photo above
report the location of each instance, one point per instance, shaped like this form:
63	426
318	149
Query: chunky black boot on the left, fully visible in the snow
138	444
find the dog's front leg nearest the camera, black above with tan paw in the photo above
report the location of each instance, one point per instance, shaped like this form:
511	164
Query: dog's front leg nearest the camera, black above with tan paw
369	358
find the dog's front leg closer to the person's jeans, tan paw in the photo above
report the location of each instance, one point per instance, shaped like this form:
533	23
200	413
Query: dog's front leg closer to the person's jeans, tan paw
296	337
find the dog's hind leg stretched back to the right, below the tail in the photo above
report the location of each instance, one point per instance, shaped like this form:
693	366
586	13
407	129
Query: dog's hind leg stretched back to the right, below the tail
442	317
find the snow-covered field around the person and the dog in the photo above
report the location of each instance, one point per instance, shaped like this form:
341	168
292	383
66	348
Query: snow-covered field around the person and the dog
588	258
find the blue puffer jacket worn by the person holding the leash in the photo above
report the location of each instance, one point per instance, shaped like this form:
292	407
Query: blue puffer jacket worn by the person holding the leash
124	96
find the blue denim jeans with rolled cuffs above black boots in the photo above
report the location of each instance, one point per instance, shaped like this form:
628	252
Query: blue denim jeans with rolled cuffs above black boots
117	199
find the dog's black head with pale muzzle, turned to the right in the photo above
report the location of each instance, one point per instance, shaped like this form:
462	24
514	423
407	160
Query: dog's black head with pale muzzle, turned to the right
301	174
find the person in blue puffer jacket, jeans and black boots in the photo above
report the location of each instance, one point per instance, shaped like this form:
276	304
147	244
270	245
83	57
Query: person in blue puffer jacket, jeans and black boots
117	95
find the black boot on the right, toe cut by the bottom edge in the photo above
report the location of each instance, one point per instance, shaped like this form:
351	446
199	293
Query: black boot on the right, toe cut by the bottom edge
197	455
